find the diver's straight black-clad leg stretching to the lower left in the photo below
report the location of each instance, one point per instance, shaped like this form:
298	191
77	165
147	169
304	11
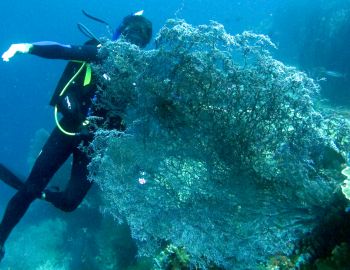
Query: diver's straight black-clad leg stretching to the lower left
55	151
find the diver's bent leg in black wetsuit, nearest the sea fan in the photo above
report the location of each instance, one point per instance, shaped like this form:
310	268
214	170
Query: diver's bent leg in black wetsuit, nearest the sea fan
77	187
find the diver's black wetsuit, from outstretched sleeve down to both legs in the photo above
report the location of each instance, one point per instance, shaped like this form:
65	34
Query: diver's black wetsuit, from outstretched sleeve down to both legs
59	146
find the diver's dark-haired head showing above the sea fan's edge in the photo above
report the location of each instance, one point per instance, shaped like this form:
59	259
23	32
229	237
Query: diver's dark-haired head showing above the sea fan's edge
136	29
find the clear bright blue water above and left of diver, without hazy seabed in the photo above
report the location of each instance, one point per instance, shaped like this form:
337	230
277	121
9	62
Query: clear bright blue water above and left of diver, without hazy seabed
27	82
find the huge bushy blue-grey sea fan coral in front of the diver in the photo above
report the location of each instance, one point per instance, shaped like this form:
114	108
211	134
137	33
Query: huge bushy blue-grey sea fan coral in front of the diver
224	148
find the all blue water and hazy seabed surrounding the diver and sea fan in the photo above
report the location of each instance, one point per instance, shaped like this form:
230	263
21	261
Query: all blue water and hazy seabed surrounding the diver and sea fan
312	36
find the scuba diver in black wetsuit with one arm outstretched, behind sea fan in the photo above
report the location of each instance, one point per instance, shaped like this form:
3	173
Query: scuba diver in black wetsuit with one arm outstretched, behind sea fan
74	99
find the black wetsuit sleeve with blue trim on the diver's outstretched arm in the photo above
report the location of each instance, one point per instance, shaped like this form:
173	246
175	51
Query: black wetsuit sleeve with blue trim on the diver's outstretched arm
53	50
